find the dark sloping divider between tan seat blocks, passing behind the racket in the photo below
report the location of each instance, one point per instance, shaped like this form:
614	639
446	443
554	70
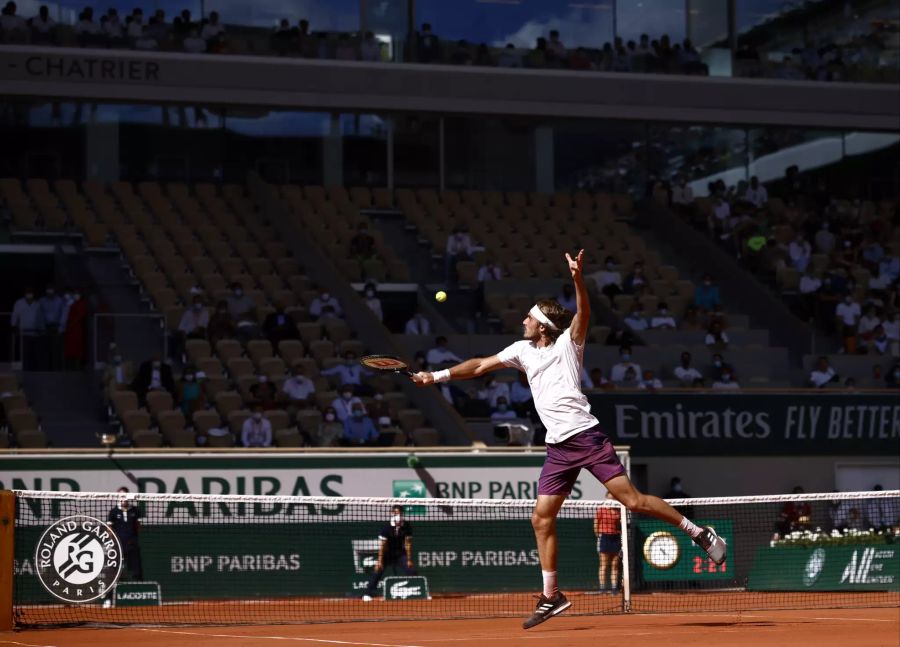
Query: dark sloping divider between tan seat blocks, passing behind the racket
322	270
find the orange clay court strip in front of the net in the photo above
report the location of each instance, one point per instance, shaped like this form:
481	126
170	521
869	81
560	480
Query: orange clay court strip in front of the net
821	627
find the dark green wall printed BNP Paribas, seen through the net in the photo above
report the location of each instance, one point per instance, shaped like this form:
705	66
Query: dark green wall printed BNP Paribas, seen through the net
247	560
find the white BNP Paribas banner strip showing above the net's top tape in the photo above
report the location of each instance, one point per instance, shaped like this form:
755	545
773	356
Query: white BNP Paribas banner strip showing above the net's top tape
512	475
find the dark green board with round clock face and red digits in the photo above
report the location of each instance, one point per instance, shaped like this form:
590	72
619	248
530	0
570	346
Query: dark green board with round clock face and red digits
669	555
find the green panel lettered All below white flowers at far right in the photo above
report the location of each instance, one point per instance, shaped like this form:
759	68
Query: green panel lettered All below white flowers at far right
873	567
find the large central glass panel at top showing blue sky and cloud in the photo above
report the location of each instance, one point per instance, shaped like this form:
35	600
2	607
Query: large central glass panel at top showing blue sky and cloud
586	23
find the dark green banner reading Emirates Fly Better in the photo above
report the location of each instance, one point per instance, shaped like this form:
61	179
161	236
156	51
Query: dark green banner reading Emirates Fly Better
830	422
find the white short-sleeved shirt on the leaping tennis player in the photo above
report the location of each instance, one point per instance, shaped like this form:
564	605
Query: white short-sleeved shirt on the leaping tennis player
554	377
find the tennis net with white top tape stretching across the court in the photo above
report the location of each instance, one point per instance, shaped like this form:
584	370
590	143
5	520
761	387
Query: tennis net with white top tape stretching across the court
205	559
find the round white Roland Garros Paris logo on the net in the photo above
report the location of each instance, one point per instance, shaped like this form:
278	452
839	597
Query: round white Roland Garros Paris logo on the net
78	559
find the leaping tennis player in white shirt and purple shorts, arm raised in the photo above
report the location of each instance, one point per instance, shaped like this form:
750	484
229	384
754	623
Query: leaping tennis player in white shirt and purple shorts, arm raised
551	355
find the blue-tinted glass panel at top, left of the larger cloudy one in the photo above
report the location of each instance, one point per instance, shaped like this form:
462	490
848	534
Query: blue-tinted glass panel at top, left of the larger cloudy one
323	15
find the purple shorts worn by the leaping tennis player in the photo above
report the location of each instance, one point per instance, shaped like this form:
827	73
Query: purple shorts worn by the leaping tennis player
590	449
